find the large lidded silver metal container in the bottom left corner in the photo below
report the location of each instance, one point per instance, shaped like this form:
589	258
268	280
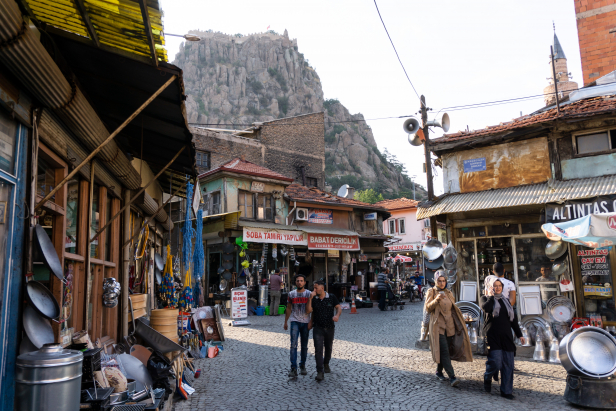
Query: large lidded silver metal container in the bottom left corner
49	379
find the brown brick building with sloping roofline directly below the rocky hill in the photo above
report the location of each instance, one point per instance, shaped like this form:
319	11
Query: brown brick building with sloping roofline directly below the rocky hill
293	147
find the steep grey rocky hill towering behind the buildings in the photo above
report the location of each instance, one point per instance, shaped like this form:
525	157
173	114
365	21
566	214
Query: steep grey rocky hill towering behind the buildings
234	80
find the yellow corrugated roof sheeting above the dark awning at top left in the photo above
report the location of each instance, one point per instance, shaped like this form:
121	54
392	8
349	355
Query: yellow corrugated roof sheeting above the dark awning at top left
116	23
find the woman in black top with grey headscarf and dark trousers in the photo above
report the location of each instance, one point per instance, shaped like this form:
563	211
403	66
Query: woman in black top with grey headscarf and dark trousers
500	319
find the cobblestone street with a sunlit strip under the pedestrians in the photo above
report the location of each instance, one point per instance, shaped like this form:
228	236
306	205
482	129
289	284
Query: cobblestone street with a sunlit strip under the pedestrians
374	367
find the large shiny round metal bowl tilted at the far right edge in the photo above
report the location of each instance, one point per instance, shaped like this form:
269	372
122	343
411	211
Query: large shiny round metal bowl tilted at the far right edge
589	351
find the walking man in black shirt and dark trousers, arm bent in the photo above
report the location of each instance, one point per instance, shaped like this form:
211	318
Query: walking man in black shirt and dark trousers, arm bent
326	311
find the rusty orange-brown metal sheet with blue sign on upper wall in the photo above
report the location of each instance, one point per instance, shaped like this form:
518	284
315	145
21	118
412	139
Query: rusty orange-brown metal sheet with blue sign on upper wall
505	165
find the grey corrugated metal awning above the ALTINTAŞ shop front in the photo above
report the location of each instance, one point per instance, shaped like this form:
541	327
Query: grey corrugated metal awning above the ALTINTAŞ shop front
550	192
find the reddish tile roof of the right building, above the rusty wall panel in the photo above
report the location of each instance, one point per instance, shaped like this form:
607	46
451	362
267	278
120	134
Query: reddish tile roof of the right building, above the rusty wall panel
578	109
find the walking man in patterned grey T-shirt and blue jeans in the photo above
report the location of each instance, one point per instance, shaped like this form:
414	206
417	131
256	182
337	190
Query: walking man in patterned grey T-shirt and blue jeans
297	312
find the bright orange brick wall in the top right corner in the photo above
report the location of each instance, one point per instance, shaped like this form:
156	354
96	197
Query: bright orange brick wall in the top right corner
596	23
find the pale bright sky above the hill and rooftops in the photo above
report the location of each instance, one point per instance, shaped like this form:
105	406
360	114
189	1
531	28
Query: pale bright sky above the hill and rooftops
455	53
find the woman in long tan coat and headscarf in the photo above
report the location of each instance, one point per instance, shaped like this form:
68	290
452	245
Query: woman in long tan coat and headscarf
448	337
